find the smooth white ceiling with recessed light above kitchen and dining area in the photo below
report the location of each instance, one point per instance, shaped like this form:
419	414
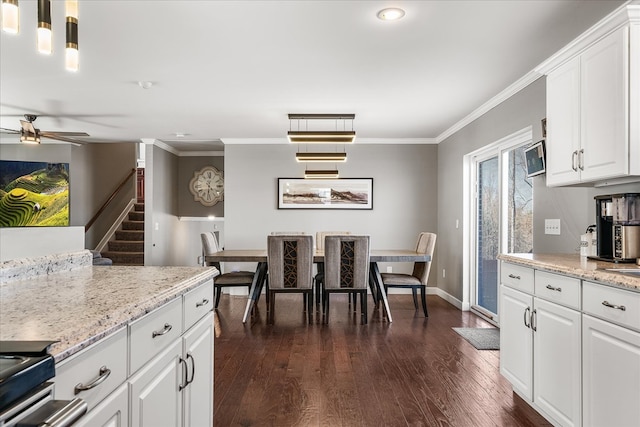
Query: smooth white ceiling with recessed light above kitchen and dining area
233	70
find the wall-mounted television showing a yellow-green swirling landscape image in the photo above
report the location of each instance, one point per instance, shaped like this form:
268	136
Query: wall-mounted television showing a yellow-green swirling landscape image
34	194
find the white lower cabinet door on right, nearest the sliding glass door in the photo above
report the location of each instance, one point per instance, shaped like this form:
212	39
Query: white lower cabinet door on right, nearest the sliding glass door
516	340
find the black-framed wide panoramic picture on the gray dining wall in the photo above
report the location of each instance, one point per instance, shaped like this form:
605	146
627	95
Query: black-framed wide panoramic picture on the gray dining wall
341	193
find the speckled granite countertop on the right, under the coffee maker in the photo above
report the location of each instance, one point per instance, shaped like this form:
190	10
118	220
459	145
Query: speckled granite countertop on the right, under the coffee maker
577	266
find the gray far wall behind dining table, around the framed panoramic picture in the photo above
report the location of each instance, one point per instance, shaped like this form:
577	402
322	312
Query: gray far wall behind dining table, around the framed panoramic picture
404	195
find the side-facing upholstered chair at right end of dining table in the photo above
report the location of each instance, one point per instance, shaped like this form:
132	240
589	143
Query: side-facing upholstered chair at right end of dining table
418	278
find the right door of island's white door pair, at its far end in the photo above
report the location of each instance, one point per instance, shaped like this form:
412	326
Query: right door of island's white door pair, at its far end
198	396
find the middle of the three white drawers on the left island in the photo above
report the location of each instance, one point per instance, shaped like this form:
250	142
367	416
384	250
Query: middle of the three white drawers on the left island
153	332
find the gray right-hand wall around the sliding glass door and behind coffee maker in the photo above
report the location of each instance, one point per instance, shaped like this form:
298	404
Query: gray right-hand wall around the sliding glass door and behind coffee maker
574	206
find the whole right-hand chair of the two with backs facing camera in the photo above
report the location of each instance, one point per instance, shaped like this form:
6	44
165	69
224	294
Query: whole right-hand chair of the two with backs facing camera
346	270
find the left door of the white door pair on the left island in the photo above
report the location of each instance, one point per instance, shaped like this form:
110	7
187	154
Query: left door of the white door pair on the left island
155	390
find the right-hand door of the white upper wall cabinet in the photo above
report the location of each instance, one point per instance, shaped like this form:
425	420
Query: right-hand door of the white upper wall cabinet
605	107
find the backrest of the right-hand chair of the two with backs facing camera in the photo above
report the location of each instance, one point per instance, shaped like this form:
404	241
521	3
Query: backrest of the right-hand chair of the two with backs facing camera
346	262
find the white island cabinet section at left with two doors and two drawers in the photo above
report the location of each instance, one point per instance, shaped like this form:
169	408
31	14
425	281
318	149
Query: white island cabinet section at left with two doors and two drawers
175	387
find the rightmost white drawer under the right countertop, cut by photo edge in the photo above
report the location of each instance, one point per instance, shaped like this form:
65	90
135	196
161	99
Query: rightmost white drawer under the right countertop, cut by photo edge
612	304
